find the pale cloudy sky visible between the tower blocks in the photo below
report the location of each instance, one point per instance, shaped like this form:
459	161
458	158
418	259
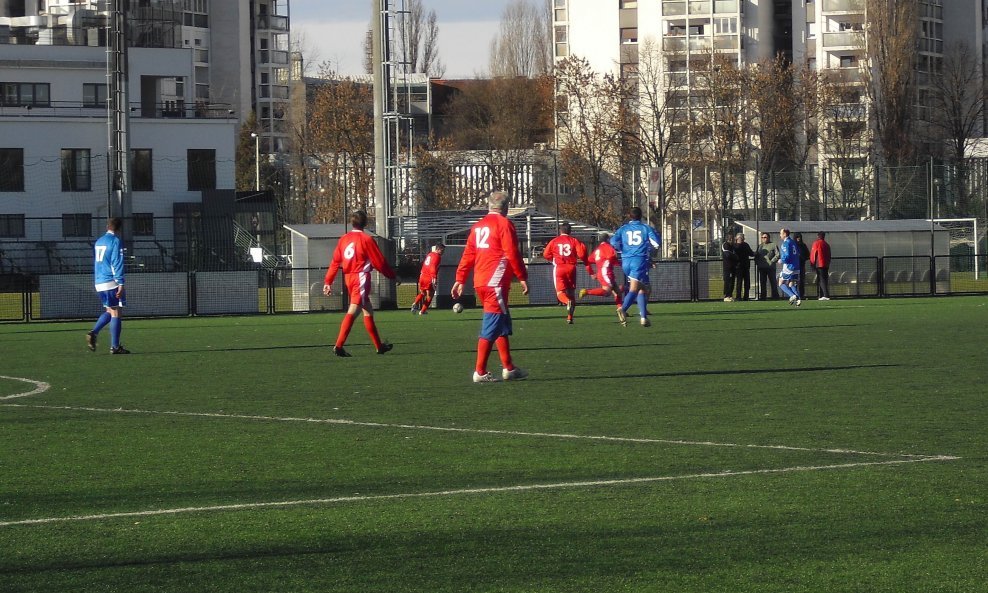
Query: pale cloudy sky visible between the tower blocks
333	31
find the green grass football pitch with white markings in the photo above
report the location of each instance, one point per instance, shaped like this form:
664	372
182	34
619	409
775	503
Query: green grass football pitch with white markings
736	447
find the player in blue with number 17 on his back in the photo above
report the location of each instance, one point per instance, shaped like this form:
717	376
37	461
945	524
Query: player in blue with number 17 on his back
108	277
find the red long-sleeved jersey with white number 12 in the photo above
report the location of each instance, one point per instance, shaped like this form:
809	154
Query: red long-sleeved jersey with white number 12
492	250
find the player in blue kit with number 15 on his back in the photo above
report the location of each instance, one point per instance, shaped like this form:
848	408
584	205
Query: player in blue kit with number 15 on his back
634	241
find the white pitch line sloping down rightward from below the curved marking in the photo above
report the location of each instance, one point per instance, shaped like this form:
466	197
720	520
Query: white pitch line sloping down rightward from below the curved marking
475	430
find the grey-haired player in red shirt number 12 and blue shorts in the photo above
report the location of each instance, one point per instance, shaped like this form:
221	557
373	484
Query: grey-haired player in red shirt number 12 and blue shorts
492	253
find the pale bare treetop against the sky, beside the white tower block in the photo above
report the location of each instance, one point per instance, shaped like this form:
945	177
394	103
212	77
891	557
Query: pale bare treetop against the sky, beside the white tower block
523	44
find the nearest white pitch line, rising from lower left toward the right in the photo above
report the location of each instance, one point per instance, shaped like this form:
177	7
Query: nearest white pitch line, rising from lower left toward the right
460	492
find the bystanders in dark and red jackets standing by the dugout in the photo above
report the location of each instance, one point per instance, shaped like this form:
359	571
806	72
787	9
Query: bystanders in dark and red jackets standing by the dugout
737	254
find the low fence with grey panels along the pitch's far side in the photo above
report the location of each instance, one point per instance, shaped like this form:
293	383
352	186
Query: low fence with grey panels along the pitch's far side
26	297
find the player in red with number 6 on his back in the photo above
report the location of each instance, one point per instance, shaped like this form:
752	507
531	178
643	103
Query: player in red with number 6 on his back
357	254
